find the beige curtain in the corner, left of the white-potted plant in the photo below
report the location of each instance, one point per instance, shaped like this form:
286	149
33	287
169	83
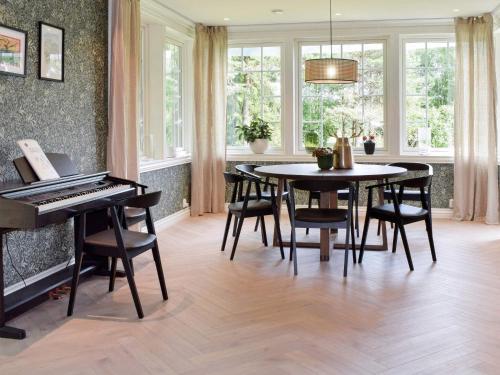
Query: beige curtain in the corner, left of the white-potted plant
210	65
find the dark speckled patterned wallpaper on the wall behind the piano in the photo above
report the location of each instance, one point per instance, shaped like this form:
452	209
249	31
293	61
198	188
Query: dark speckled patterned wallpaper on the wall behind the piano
69	117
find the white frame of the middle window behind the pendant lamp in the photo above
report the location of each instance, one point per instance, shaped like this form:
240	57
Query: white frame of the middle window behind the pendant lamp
298	149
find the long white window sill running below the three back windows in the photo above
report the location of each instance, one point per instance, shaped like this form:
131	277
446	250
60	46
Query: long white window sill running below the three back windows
380	157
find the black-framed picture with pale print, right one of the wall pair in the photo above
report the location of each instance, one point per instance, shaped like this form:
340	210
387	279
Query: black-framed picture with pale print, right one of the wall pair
51	50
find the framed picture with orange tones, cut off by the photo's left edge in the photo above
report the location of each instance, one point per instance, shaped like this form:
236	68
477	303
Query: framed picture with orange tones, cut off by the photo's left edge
12	51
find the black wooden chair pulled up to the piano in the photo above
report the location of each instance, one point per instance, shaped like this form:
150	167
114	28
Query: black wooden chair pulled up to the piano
120	243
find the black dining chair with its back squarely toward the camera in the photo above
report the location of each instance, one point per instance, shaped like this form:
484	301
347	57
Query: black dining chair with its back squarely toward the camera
322	218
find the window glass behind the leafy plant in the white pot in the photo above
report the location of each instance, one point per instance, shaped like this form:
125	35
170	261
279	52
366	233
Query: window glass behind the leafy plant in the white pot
254	90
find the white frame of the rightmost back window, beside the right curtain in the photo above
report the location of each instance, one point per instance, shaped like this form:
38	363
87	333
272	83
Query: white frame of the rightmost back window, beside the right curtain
418	38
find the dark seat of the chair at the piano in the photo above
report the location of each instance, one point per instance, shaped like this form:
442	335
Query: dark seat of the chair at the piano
132	240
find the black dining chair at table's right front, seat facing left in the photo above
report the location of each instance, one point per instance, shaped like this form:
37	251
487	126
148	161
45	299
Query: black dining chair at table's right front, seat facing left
401	214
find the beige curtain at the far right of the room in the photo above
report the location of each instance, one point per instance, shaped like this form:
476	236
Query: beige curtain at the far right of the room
476	171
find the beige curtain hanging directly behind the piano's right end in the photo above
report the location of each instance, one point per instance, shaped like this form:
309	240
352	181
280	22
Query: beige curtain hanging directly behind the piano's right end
122	155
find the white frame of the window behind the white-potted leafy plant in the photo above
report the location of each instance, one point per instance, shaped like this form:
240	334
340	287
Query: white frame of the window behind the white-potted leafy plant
244	149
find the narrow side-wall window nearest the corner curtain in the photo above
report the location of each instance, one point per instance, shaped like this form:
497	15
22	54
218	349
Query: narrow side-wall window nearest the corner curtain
173	98
